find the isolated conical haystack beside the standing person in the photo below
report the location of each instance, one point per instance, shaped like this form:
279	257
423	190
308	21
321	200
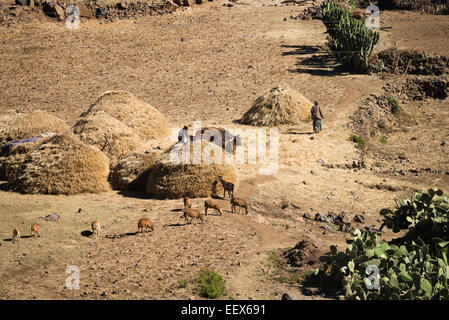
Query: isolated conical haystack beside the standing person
279	106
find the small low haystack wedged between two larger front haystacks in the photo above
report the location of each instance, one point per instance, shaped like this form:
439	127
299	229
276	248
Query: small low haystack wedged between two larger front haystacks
131	172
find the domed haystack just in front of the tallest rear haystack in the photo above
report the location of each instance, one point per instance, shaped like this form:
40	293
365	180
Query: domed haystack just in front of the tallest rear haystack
108	134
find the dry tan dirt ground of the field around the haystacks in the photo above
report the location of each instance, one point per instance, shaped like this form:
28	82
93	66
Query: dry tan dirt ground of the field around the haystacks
207	63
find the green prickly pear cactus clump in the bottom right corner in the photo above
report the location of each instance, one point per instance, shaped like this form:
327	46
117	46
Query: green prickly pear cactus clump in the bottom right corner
412	267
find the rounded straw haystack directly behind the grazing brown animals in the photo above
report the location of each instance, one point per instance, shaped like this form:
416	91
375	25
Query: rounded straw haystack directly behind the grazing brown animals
171	180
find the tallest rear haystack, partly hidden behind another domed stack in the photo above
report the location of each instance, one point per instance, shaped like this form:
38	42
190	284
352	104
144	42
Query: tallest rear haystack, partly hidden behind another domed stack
144	119
